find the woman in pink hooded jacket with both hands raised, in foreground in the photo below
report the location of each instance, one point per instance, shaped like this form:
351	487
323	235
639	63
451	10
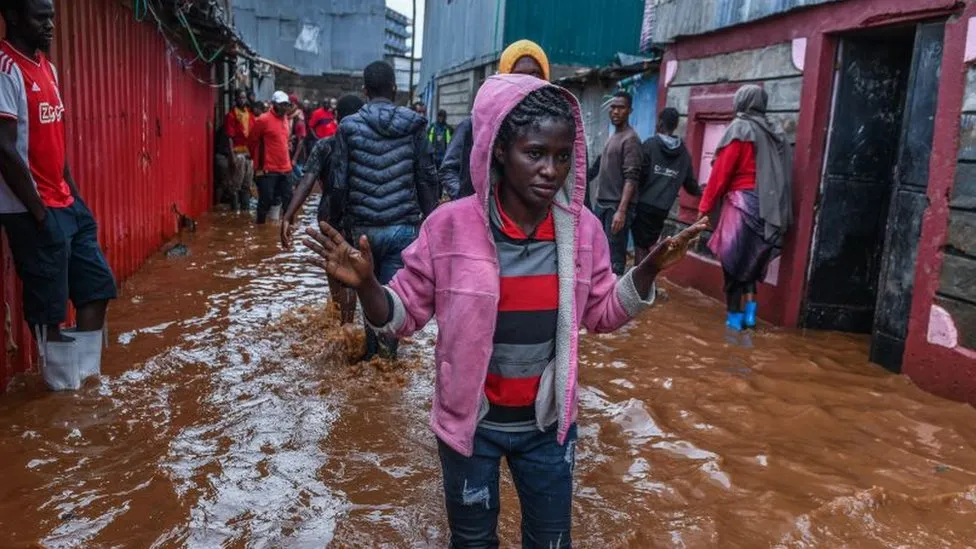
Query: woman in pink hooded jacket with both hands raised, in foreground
511	274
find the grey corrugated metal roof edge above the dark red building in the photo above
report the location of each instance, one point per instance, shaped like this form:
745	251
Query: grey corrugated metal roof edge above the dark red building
674	18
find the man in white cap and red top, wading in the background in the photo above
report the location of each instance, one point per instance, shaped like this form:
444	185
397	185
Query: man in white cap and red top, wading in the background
272	163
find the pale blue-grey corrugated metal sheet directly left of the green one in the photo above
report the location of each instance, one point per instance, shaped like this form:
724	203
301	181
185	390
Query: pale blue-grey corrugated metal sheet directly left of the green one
457	33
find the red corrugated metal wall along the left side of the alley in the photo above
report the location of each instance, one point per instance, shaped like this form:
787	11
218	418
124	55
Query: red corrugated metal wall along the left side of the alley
140	140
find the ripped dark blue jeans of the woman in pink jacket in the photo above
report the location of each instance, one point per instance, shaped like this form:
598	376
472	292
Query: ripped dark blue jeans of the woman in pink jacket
542	471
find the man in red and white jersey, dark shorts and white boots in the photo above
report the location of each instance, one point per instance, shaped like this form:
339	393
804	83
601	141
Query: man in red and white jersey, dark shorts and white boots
51	232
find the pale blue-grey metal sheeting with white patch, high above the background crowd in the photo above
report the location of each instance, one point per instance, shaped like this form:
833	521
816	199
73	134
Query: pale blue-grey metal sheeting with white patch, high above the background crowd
314	36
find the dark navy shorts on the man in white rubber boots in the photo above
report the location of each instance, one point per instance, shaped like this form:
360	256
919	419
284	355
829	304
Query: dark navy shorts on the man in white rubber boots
58	261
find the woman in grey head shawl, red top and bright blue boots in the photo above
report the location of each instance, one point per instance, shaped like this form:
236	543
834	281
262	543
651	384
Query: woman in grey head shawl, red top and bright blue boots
752	177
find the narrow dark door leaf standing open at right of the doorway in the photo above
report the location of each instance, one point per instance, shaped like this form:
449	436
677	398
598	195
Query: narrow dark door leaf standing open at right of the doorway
908	201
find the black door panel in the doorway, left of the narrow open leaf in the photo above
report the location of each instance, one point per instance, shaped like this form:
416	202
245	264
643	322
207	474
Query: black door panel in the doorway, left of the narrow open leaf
852	210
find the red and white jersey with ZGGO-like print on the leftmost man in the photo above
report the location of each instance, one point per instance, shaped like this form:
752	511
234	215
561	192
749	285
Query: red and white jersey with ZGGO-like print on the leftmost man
29	94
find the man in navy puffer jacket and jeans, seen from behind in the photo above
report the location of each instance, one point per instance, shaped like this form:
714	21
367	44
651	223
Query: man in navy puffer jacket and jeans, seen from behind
384	180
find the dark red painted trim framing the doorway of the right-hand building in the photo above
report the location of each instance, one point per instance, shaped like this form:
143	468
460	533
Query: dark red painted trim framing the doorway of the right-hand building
948	372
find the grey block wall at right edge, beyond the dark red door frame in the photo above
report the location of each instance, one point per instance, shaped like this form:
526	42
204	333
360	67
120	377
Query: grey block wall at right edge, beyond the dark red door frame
957	285
